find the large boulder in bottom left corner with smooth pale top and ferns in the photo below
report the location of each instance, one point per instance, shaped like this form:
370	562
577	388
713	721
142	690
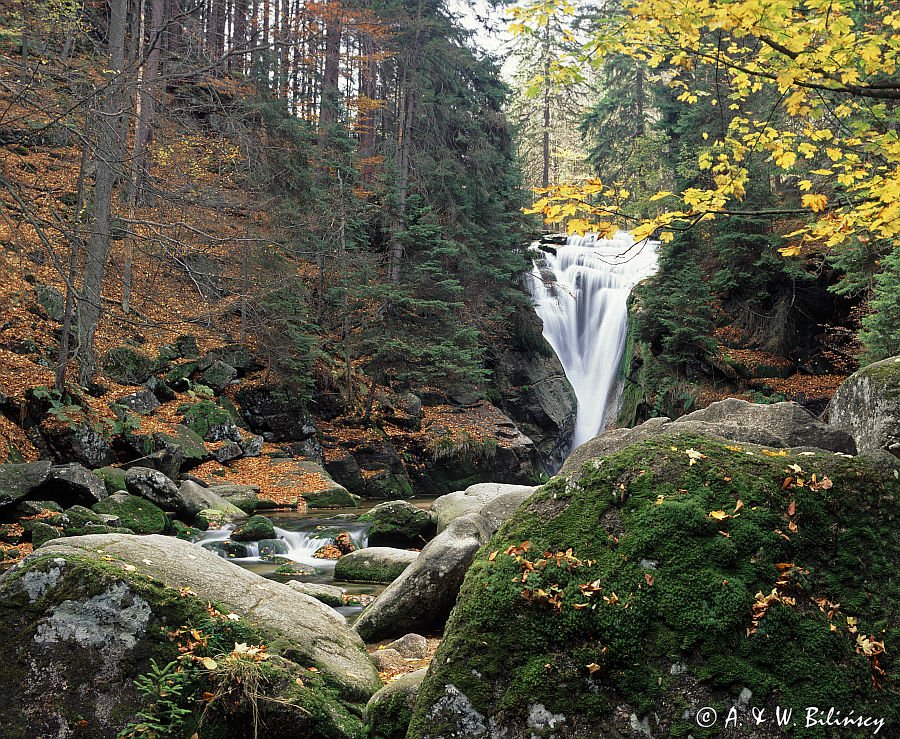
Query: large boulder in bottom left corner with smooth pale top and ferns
84	618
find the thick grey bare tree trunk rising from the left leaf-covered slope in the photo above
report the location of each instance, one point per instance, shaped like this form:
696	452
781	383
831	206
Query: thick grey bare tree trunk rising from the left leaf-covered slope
108	156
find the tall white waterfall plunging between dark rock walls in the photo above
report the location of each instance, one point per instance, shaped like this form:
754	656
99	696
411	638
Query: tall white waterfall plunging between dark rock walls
581	294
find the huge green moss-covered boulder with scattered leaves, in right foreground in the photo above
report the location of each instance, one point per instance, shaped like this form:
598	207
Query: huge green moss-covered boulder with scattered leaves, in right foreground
678	573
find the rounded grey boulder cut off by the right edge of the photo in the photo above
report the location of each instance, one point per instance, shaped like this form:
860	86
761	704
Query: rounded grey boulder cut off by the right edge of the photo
867	406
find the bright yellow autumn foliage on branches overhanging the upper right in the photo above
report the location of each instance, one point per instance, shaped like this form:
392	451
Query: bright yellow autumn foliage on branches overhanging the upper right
831	68
